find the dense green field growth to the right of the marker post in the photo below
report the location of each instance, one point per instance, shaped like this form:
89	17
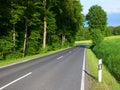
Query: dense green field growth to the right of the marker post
109	51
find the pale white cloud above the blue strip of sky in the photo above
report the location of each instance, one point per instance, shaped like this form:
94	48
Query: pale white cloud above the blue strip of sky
110	6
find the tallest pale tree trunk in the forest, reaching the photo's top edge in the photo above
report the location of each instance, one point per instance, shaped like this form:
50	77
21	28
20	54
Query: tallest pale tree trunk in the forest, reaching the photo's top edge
45	26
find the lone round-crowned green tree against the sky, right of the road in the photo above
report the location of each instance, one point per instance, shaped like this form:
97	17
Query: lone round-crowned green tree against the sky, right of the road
97	20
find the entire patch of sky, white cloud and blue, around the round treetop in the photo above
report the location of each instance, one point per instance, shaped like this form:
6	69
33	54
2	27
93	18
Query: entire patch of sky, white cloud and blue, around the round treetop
112	8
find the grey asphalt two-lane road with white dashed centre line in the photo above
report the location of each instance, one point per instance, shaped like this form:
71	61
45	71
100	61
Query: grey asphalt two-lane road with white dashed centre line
59	71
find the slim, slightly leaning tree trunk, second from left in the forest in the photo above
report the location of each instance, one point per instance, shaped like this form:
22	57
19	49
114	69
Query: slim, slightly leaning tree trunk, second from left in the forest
25	38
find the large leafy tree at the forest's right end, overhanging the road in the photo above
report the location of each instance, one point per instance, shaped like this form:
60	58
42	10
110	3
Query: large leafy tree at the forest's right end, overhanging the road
68	20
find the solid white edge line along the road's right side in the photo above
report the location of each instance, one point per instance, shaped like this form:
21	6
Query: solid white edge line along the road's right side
83	73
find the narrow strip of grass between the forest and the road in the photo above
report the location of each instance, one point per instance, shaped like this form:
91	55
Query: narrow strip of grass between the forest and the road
11	61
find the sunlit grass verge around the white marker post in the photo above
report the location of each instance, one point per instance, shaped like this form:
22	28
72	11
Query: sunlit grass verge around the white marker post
108	81
